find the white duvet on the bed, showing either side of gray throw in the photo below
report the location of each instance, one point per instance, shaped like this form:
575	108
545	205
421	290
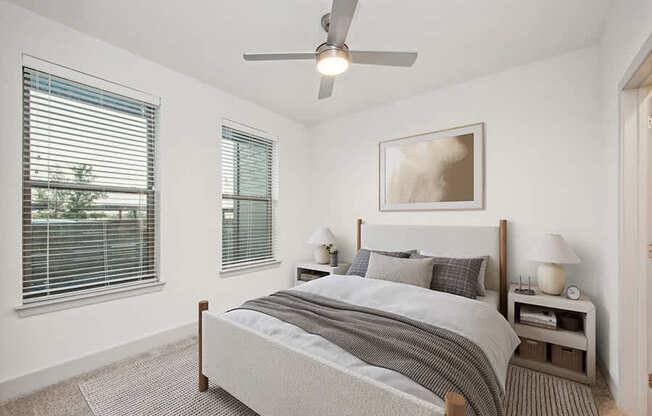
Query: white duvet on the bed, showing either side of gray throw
475	320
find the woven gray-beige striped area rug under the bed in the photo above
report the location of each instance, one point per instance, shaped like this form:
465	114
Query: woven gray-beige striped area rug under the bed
166	384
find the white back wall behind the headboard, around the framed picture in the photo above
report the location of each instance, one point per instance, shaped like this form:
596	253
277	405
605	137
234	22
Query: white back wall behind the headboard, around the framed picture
544	163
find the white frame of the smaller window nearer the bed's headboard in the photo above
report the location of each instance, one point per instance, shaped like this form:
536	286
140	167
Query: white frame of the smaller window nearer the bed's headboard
273	199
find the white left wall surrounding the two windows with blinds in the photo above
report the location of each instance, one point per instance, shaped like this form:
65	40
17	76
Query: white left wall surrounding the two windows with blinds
189	228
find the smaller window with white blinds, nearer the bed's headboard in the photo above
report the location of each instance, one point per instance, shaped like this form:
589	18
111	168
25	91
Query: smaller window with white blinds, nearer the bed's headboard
249	197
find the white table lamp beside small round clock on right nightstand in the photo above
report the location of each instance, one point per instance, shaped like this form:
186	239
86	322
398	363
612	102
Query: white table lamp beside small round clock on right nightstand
552	251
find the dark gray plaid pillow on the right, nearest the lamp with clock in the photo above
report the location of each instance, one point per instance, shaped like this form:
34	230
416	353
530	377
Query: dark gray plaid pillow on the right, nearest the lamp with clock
456	276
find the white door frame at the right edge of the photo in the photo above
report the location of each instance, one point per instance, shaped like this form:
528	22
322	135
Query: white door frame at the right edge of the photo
633	238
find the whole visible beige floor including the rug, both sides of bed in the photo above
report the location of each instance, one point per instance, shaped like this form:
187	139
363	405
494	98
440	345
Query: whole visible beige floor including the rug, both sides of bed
163	381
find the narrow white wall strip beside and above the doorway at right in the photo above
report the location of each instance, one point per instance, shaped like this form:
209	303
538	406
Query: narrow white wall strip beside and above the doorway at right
627	28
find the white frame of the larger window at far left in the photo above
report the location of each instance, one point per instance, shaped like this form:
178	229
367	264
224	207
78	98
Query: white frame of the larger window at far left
150	192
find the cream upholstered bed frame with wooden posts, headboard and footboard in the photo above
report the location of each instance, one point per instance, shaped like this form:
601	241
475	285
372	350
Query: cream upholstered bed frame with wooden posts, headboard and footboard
275	379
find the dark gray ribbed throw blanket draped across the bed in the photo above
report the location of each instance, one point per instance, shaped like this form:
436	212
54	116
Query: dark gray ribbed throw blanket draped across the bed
438	359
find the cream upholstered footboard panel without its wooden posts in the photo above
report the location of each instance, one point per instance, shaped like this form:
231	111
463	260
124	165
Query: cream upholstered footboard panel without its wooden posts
277	380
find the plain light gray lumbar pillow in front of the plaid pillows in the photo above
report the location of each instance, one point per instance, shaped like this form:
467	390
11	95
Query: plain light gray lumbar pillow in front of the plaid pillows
417	272
